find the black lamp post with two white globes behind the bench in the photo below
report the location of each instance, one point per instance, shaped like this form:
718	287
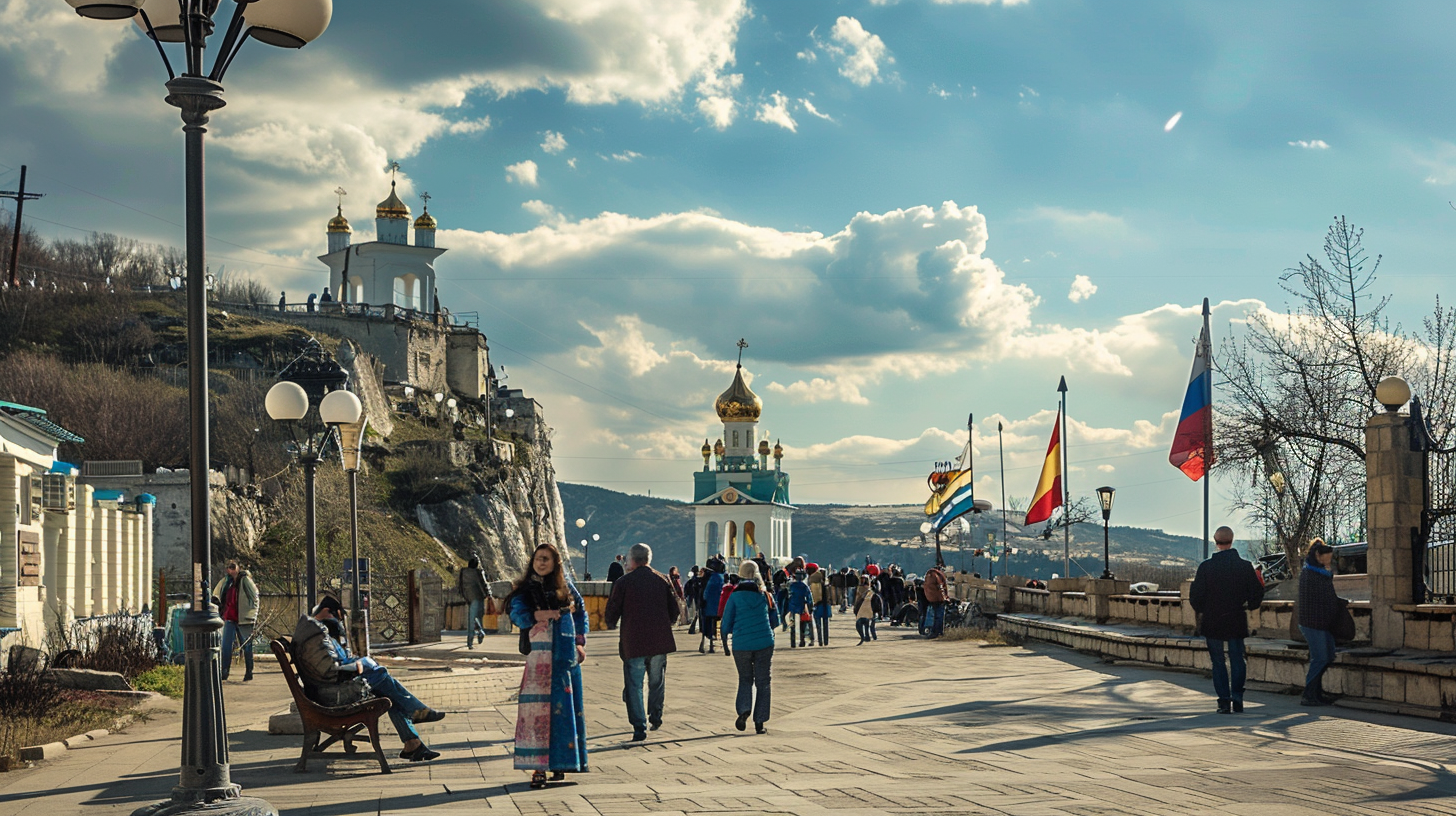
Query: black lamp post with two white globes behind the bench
314	380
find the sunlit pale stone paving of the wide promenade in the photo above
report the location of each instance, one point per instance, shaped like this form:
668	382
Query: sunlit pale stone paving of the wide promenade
898	726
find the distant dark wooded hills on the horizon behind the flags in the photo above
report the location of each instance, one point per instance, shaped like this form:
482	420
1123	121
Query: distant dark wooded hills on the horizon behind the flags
842	534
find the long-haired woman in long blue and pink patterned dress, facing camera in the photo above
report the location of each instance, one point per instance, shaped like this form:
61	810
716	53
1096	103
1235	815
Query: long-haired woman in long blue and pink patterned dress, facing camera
551	728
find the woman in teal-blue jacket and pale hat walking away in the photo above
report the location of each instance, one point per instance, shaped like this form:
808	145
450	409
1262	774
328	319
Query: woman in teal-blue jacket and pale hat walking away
751	619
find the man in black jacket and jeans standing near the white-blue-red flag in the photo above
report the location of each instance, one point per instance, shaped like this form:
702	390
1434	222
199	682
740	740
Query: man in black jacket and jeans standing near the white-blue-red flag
1222	592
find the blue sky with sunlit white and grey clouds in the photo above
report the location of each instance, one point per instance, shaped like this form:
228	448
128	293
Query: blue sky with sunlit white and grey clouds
912	211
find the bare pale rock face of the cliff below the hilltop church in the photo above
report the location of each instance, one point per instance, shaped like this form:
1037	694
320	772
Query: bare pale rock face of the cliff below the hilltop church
516	512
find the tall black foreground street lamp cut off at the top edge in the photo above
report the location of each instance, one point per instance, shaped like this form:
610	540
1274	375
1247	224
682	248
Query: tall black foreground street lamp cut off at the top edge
206	782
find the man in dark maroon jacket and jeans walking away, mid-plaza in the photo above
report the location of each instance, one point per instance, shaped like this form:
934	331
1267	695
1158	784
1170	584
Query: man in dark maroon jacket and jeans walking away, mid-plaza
646	604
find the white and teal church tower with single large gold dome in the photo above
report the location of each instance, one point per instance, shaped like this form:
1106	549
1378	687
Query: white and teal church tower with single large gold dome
740	505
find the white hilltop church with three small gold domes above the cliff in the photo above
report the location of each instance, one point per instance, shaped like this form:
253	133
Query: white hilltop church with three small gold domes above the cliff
387	270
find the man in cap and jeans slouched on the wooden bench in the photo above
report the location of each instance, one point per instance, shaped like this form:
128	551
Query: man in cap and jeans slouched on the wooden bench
333	677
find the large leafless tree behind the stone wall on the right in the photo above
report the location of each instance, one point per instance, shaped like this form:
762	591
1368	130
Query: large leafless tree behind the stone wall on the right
1299	388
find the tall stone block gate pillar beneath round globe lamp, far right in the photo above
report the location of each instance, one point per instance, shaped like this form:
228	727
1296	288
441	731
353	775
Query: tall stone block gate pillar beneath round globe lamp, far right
1396	498
